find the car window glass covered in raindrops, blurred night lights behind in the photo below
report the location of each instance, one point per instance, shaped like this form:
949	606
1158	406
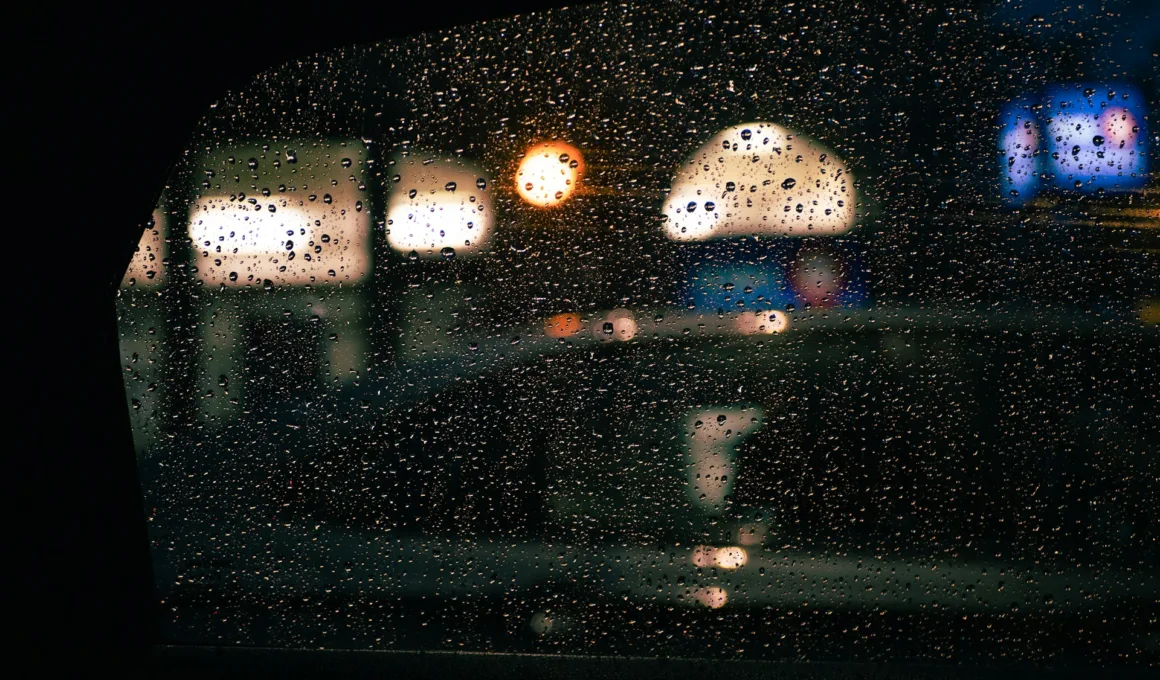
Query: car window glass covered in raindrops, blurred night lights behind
762	331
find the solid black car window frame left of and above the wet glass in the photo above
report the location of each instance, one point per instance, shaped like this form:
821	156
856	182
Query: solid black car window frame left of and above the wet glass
113	98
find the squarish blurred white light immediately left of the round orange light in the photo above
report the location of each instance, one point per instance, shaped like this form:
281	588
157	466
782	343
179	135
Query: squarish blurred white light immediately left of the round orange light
439	205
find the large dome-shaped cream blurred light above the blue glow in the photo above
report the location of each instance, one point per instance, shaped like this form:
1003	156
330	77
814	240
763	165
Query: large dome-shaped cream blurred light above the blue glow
756	179
